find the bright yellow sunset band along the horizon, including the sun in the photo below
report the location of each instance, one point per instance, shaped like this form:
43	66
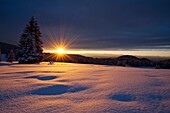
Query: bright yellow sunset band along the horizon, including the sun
112	52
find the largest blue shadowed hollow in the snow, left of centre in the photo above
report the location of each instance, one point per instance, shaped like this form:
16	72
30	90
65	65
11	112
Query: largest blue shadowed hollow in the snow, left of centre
57	90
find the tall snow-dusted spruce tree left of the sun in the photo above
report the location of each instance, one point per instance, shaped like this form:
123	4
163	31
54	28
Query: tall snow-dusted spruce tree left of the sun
30	44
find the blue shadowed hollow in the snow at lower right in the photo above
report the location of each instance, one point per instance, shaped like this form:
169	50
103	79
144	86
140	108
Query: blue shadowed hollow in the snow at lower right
122	97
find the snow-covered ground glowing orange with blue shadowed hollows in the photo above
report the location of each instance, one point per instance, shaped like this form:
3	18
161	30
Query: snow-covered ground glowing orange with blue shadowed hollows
73	88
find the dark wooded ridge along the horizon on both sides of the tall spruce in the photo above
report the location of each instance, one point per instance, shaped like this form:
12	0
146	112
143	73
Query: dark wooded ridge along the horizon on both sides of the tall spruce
124	60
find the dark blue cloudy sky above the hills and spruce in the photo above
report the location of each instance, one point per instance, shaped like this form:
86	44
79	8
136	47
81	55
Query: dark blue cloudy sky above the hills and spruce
129	26
